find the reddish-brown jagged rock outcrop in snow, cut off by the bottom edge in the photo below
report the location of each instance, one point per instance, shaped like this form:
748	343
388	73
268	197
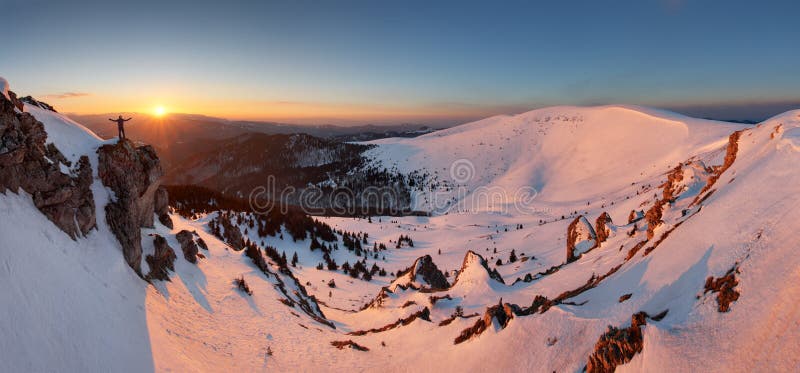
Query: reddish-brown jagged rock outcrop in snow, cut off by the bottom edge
617	346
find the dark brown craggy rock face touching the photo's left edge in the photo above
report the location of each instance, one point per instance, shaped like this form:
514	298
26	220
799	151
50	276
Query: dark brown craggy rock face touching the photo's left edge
27	163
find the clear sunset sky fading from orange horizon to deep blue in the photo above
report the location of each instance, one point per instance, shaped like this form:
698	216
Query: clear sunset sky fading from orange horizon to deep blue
391	62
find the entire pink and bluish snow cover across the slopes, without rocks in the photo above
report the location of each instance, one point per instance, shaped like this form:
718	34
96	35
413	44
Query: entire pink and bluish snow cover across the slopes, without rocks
76	306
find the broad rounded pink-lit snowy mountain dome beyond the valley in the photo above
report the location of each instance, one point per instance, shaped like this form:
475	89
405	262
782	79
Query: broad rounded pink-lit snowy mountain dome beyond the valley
564	153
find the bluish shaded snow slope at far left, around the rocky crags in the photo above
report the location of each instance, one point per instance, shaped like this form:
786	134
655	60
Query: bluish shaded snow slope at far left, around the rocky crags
67	305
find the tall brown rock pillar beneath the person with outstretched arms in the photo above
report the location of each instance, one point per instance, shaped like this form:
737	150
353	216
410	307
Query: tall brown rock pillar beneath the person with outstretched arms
133	175
